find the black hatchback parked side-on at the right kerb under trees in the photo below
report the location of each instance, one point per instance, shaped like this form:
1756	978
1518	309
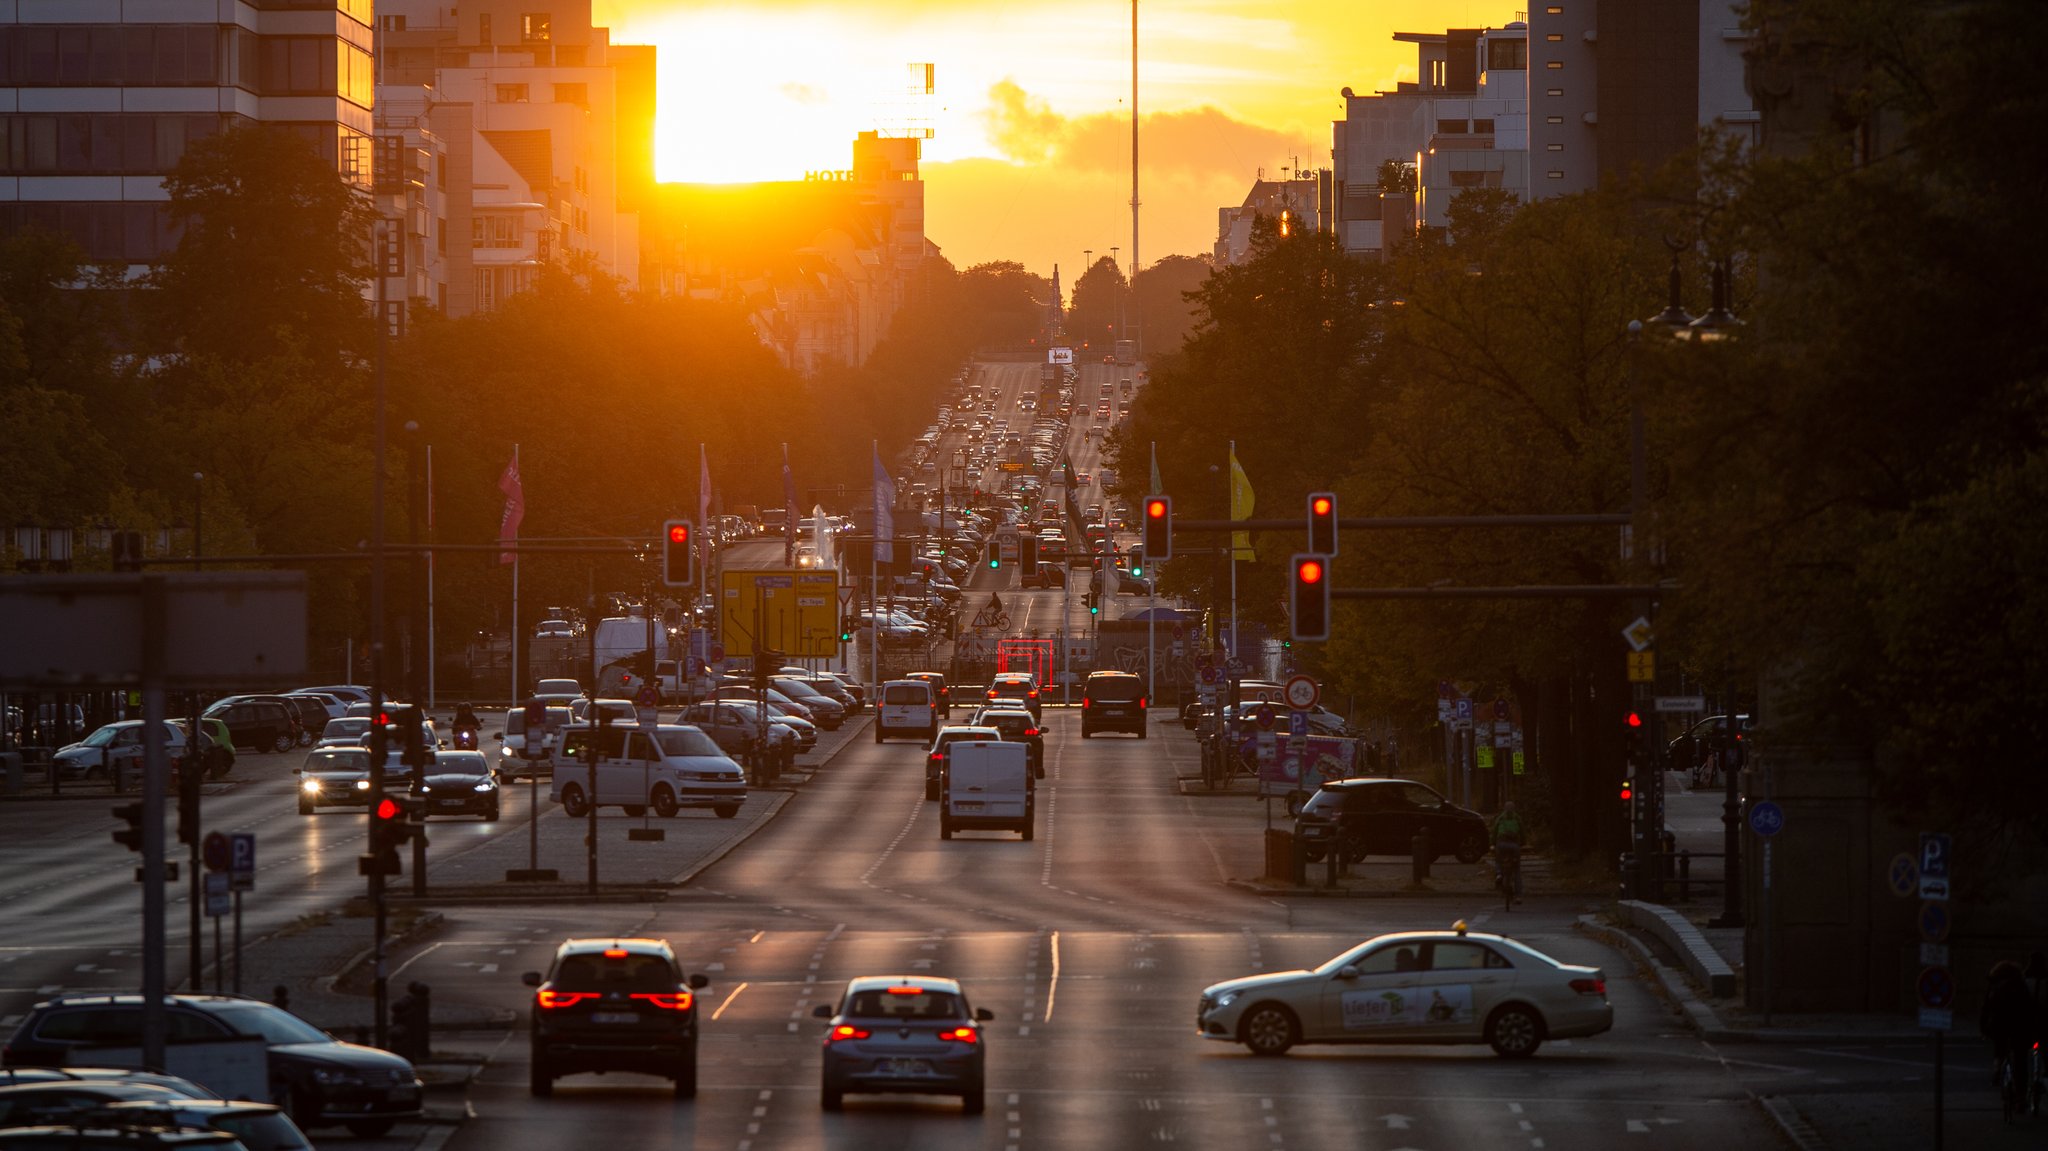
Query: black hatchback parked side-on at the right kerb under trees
1381	816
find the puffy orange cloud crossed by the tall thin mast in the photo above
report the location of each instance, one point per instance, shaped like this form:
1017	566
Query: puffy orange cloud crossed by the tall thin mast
1199	142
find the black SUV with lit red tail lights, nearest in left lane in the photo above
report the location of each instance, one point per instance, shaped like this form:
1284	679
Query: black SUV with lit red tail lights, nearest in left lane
615	1007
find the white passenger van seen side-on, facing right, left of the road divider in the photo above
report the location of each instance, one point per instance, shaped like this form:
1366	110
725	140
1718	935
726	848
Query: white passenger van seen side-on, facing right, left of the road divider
667	769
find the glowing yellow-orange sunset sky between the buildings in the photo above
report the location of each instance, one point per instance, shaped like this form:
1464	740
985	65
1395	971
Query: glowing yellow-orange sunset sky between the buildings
1031	118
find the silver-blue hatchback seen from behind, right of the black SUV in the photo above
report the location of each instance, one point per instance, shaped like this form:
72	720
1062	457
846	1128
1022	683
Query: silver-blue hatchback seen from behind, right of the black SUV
904	1035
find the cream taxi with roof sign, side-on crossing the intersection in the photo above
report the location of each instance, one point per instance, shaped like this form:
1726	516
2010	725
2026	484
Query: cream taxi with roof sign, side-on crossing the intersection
1433	988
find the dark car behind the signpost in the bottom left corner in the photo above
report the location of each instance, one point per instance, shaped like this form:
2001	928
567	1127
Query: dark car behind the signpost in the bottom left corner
316	1078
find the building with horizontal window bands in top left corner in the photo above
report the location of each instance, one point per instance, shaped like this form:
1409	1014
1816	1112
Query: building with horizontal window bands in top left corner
101	97
